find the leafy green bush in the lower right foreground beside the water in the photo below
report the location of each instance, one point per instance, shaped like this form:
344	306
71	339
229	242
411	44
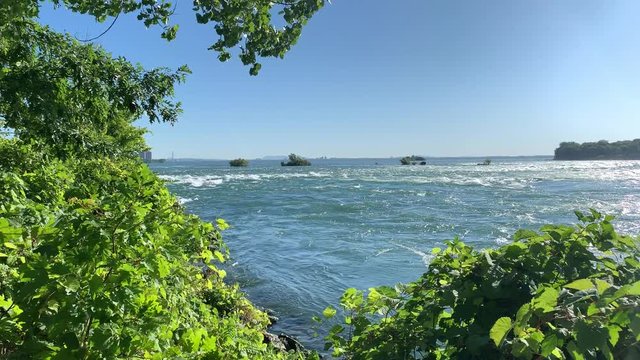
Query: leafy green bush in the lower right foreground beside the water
563	293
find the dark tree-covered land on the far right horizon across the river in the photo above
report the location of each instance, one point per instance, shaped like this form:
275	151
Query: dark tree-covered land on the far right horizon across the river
601	150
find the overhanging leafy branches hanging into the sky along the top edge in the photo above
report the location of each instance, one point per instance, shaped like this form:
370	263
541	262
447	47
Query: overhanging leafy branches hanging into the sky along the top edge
246	25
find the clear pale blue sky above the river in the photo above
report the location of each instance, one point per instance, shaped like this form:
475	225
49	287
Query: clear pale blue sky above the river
380	78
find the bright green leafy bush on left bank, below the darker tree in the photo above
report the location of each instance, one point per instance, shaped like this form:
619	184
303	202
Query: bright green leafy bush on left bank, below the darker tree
98	260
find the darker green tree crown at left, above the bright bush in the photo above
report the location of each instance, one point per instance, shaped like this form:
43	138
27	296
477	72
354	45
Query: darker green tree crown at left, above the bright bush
76	98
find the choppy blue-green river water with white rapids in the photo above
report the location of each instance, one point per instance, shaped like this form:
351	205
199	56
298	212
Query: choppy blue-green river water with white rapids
301	235
